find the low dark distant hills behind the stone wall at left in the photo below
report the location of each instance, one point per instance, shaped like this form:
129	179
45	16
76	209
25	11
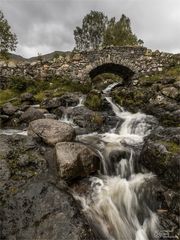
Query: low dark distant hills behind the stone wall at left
49	56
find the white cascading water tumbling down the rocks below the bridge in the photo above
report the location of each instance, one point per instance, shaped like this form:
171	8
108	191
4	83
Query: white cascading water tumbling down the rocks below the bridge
117	202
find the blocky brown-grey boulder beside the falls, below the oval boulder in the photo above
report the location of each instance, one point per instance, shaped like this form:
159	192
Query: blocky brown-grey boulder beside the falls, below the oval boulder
76	160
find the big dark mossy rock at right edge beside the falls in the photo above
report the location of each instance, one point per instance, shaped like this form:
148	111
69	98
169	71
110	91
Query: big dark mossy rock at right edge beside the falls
161	155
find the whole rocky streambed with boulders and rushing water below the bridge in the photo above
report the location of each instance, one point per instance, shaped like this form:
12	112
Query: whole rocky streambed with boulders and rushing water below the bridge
70	171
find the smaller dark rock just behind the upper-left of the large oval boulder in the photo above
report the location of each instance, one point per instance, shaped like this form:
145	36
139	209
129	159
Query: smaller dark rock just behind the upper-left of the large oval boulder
31	114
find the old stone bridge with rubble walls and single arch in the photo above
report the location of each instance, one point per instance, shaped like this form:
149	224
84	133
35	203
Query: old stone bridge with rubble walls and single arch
128	62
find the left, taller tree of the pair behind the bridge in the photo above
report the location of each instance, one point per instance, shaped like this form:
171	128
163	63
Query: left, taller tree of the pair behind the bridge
90	36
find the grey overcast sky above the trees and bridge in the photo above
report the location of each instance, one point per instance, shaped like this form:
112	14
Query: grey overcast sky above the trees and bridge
43	26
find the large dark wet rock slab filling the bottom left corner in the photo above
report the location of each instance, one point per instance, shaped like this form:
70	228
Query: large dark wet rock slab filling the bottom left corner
40	210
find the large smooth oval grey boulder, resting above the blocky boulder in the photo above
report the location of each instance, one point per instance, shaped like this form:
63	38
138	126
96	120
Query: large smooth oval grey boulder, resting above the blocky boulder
51	131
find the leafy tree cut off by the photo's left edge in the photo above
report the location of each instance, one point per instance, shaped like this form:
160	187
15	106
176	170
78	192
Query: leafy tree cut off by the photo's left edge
8	40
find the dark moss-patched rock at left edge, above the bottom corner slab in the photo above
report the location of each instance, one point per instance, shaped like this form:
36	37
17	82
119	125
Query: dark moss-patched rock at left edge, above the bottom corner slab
20	160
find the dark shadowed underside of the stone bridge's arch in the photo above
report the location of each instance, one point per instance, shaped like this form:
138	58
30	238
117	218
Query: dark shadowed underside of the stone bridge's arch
124	72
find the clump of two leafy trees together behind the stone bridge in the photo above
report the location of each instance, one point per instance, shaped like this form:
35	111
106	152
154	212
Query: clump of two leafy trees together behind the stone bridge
98	31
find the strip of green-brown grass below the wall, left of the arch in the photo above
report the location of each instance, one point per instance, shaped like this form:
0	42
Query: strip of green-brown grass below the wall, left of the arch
56	86
